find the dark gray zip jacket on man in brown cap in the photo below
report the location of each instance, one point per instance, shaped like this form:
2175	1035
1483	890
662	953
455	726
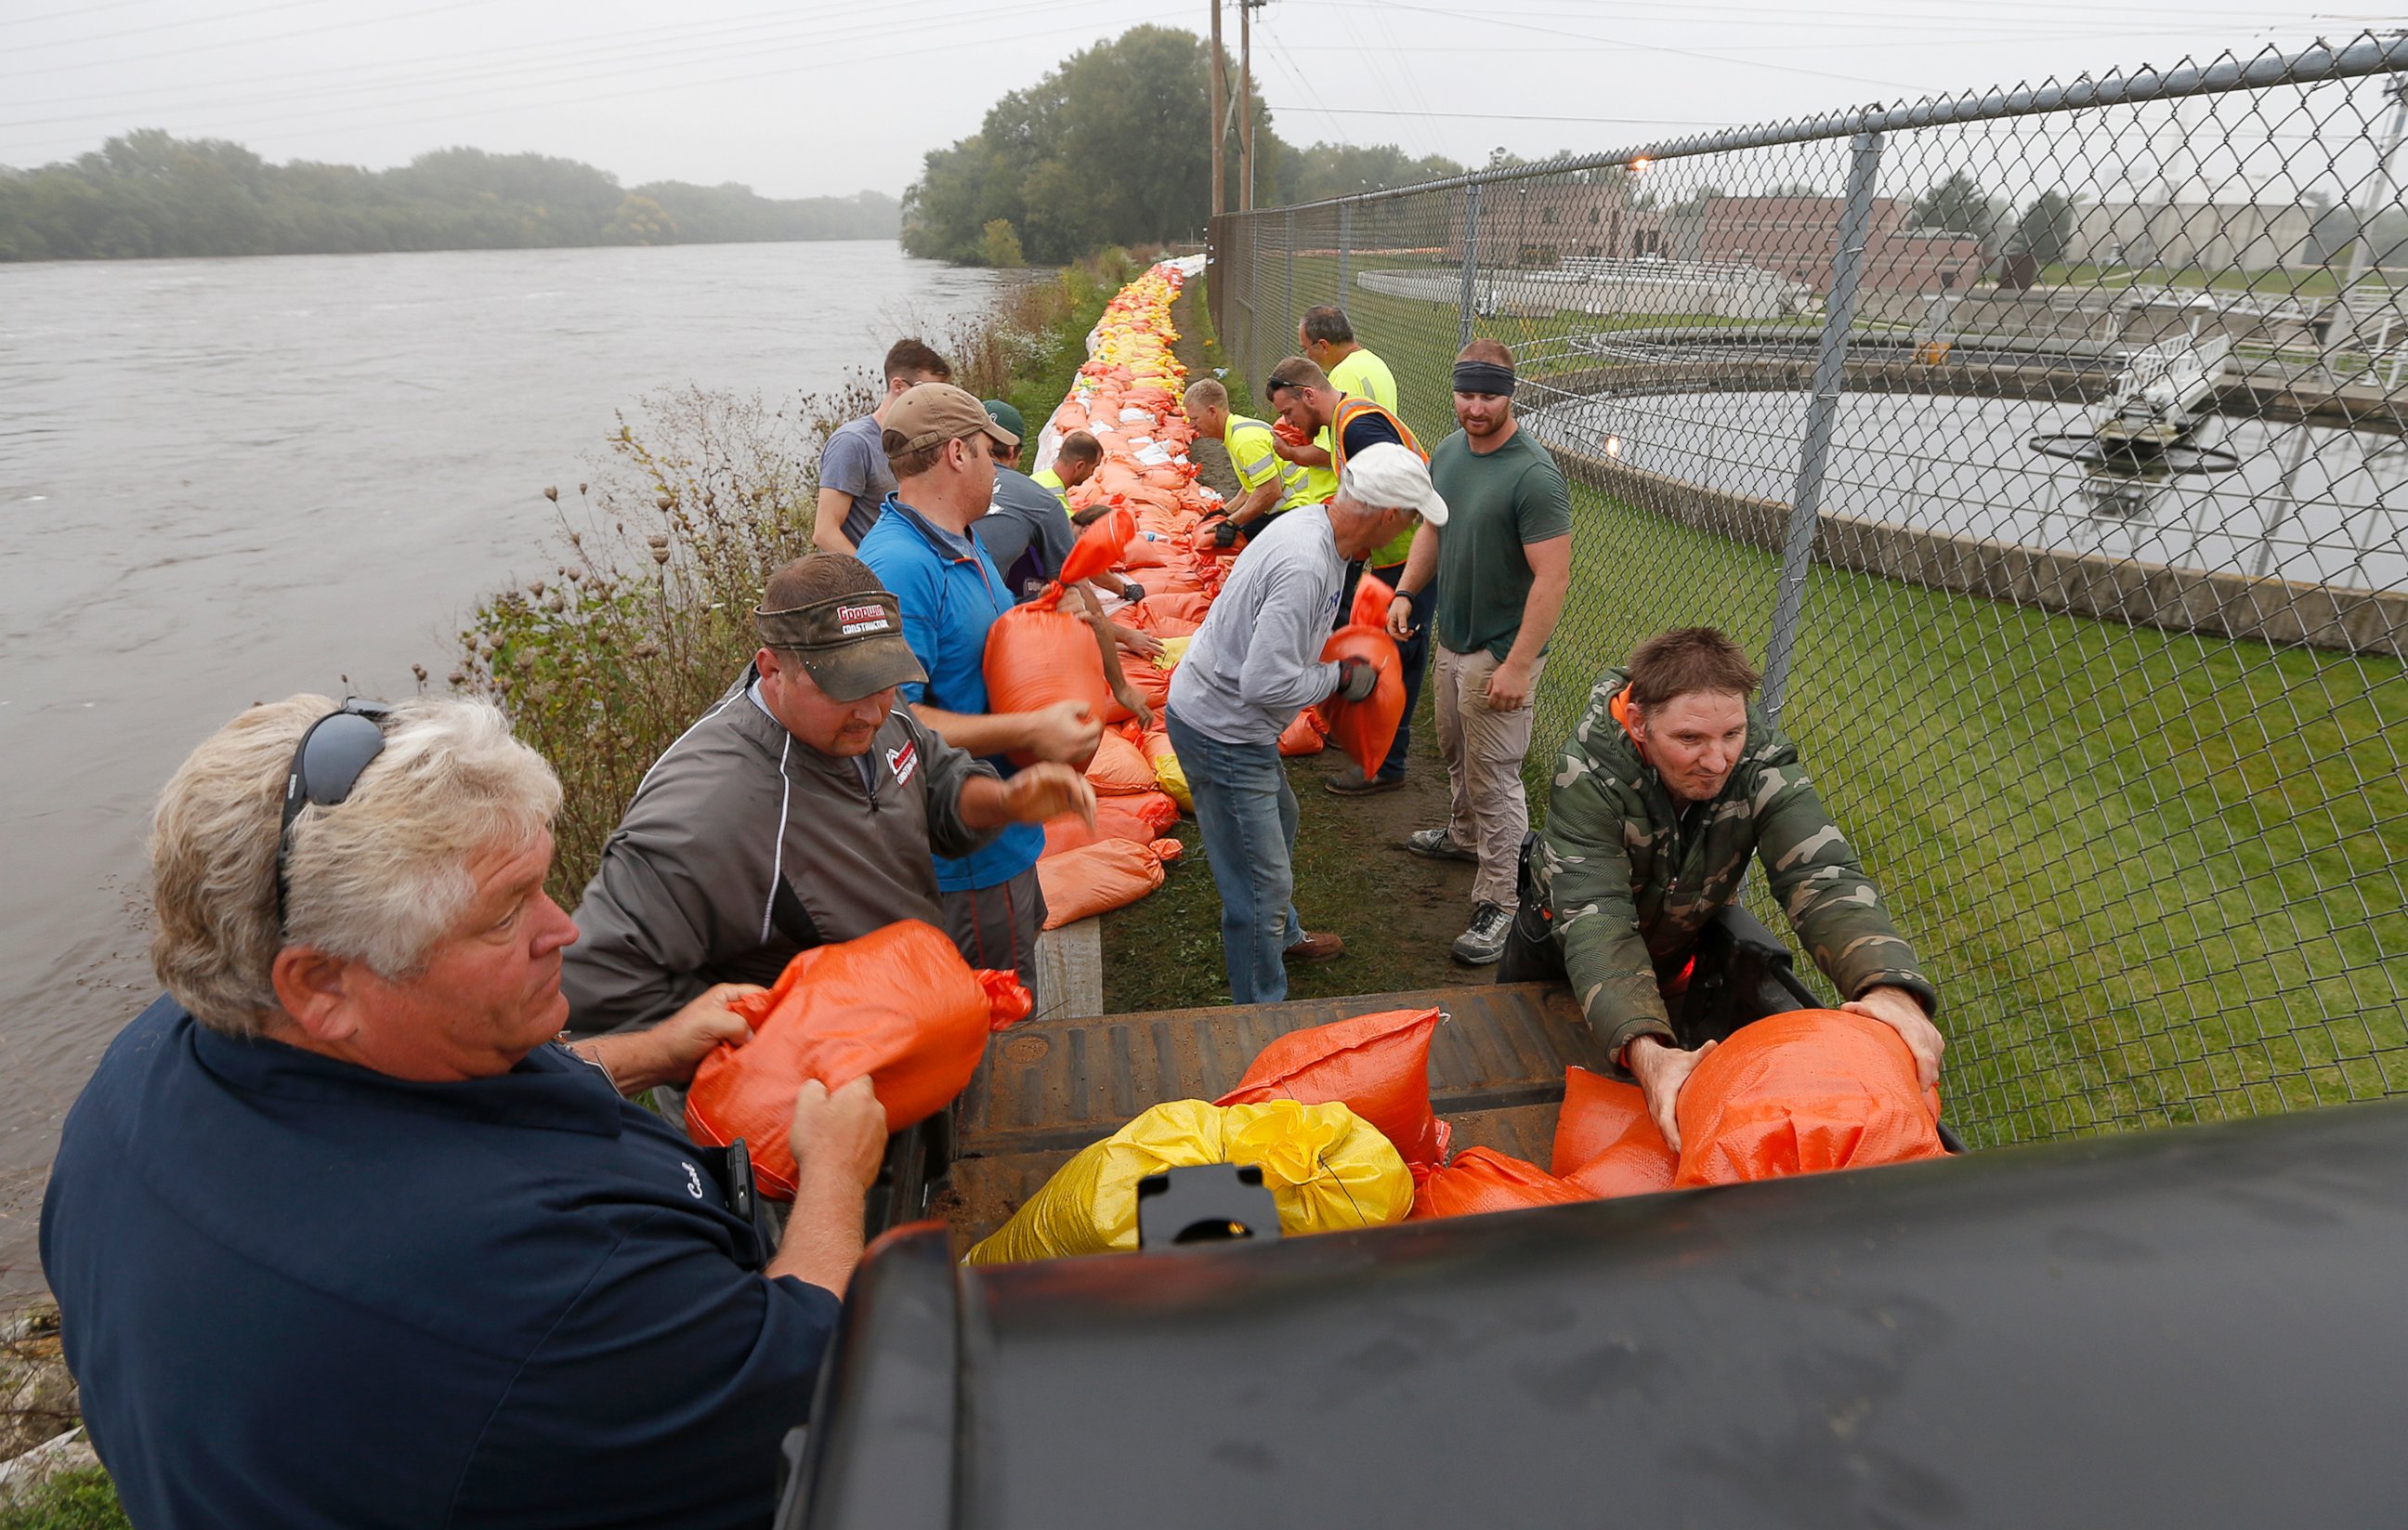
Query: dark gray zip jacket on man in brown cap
745	847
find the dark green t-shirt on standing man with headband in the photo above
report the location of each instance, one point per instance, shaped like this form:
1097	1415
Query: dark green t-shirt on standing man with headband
1497	505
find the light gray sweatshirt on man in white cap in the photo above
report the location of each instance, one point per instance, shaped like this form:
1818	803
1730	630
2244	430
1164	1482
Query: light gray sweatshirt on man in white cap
1258	659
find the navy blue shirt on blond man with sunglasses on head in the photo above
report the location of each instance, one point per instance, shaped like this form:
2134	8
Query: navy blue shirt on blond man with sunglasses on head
300	1293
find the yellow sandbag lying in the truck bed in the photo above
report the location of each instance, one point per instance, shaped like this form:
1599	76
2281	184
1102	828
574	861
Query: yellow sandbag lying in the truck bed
1323	1165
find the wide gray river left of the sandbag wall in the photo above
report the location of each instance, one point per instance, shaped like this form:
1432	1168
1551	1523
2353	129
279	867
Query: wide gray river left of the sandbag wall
230	481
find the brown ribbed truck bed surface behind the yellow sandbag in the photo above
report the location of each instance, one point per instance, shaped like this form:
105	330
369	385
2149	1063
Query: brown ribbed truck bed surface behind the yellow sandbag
1049	1088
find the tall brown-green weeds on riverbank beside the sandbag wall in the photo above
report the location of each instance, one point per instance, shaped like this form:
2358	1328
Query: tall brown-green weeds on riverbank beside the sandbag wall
661	558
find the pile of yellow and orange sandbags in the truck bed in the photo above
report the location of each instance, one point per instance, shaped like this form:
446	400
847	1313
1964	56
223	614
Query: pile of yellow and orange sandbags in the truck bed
1340	1122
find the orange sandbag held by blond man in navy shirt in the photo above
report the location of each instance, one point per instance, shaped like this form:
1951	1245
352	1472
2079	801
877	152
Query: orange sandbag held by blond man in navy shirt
899	1006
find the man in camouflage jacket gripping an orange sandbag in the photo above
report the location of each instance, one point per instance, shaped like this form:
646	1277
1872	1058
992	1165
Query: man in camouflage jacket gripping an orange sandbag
1653	818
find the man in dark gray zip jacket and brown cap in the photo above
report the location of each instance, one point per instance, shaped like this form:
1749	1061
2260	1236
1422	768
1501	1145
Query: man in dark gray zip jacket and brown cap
798	811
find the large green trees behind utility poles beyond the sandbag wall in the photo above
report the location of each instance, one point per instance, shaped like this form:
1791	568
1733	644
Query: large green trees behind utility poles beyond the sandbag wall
1116	151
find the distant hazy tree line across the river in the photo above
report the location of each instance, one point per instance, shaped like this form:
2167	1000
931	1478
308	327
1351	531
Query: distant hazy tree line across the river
150	194
